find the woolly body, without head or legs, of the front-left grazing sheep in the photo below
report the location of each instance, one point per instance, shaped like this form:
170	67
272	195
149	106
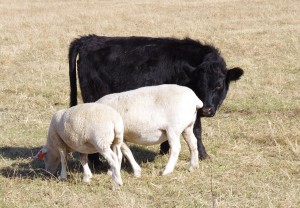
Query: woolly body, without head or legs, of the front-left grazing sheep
83	126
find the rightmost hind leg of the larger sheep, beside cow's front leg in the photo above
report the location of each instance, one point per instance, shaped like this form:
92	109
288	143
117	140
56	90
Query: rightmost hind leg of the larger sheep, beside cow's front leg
191	141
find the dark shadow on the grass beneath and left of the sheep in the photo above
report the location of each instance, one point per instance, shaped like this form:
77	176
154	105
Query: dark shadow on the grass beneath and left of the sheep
34	169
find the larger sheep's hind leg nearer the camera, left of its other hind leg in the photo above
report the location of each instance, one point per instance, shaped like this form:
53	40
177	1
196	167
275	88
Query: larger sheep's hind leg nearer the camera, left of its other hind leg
175	147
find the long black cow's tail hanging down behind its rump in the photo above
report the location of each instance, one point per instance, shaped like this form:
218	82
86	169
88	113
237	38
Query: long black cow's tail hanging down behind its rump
73	51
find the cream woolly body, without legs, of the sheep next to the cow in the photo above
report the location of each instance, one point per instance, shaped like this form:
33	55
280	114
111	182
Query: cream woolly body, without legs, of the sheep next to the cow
149	112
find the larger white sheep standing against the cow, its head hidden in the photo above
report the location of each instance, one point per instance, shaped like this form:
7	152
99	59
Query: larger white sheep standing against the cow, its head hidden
152	115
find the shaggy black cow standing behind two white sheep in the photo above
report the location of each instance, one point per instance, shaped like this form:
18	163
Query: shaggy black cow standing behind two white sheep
115	64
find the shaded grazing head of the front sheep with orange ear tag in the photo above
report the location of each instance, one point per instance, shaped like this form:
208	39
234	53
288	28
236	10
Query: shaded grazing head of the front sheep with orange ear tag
51	159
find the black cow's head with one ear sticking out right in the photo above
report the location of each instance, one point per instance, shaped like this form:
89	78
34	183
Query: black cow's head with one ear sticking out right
210	82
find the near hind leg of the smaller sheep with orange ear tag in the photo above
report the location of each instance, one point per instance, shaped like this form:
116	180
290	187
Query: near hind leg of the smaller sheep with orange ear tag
112	160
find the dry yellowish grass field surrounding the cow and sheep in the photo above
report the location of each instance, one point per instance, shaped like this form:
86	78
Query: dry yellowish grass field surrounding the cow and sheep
253	141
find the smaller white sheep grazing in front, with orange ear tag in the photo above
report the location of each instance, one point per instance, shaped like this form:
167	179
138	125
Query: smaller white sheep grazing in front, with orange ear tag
85	128
